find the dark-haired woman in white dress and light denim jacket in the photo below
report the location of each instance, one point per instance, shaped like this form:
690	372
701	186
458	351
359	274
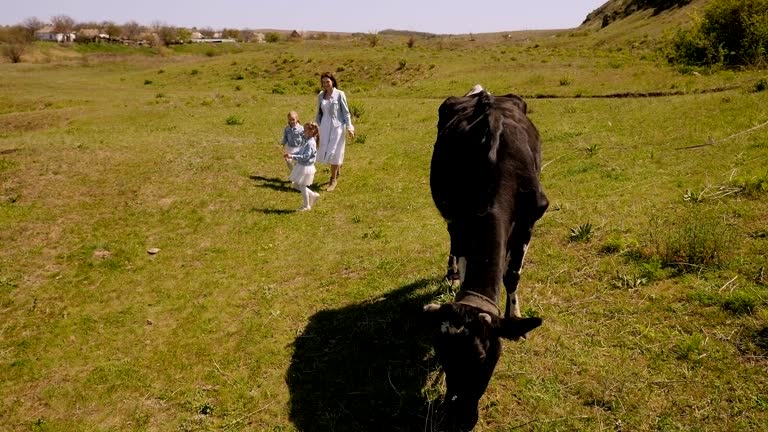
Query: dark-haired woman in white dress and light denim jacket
332	116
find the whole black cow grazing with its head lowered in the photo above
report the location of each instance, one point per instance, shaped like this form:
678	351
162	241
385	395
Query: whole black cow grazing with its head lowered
485	183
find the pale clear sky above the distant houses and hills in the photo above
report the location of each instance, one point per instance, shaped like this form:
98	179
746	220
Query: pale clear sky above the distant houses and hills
434	16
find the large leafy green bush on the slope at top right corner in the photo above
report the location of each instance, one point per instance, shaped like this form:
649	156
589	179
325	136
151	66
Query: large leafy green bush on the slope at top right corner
731	32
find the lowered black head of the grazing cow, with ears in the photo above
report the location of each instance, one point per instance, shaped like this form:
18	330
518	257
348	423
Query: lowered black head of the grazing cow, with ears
468	346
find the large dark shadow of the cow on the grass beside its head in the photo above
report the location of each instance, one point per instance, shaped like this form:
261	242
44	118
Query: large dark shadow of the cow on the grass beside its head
364	367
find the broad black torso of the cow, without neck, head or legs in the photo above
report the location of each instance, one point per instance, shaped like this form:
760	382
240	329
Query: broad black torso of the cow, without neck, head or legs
486	146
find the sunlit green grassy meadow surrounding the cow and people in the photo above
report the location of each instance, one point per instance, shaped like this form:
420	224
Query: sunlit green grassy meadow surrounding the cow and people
650	268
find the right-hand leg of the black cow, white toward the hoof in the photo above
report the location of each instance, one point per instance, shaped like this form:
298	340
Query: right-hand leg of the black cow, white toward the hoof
517	246
